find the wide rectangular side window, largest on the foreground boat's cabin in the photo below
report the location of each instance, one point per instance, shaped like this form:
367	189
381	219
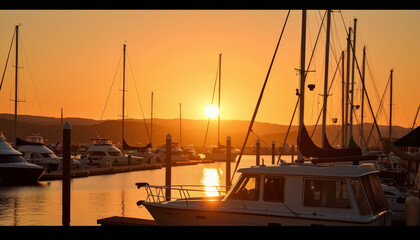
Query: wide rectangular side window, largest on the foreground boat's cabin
326	193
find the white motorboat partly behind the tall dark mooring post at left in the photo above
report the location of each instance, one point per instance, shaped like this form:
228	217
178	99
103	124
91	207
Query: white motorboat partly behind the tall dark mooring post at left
34	151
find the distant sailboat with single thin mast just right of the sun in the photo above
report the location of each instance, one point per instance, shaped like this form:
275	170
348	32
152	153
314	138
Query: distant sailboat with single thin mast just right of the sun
218	153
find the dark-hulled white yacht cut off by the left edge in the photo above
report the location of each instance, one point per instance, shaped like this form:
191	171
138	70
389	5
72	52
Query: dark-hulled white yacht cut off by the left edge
14	170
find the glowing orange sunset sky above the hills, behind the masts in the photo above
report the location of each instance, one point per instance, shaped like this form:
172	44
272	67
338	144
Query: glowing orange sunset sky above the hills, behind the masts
71	56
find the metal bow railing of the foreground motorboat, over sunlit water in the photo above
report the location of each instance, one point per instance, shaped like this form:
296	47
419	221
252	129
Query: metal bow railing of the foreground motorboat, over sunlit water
164	193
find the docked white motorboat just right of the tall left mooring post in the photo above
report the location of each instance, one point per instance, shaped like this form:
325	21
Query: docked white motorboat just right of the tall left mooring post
102	153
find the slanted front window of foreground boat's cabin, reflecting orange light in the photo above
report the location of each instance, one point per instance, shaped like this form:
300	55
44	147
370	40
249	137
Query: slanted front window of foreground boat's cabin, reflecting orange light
246	189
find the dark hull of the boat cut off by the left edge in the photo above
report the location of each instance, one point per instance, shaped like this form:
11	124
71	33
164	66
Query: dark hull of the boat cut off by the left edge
20	174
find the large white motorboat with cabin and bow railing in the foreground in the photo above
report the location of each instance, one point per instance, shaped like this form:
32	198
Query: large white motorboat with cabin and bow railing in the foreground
285	194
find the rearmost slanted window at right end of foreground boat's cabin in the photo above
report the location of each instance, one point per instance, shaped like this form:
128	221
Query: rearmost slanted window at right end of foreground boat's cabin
375	193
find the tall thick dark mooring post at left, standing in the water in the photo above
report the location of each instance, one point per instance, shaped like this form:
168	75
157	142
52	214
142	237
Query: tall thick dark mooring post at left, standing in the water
66	174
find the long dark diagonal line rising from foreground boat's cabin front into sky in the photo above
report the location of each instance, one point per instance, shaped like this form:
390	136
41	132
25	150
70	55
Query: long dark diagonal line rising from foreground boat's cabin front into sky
260	97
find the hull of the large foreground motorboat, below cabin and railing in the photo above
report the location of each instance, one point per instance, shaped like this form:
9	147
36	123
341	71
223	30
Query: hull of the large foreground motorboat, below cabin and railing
166	215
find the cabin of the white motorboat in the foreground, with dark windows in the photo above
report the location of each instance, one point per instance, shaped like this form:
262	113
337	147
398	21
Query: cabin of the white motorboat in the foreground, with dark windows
344	191
